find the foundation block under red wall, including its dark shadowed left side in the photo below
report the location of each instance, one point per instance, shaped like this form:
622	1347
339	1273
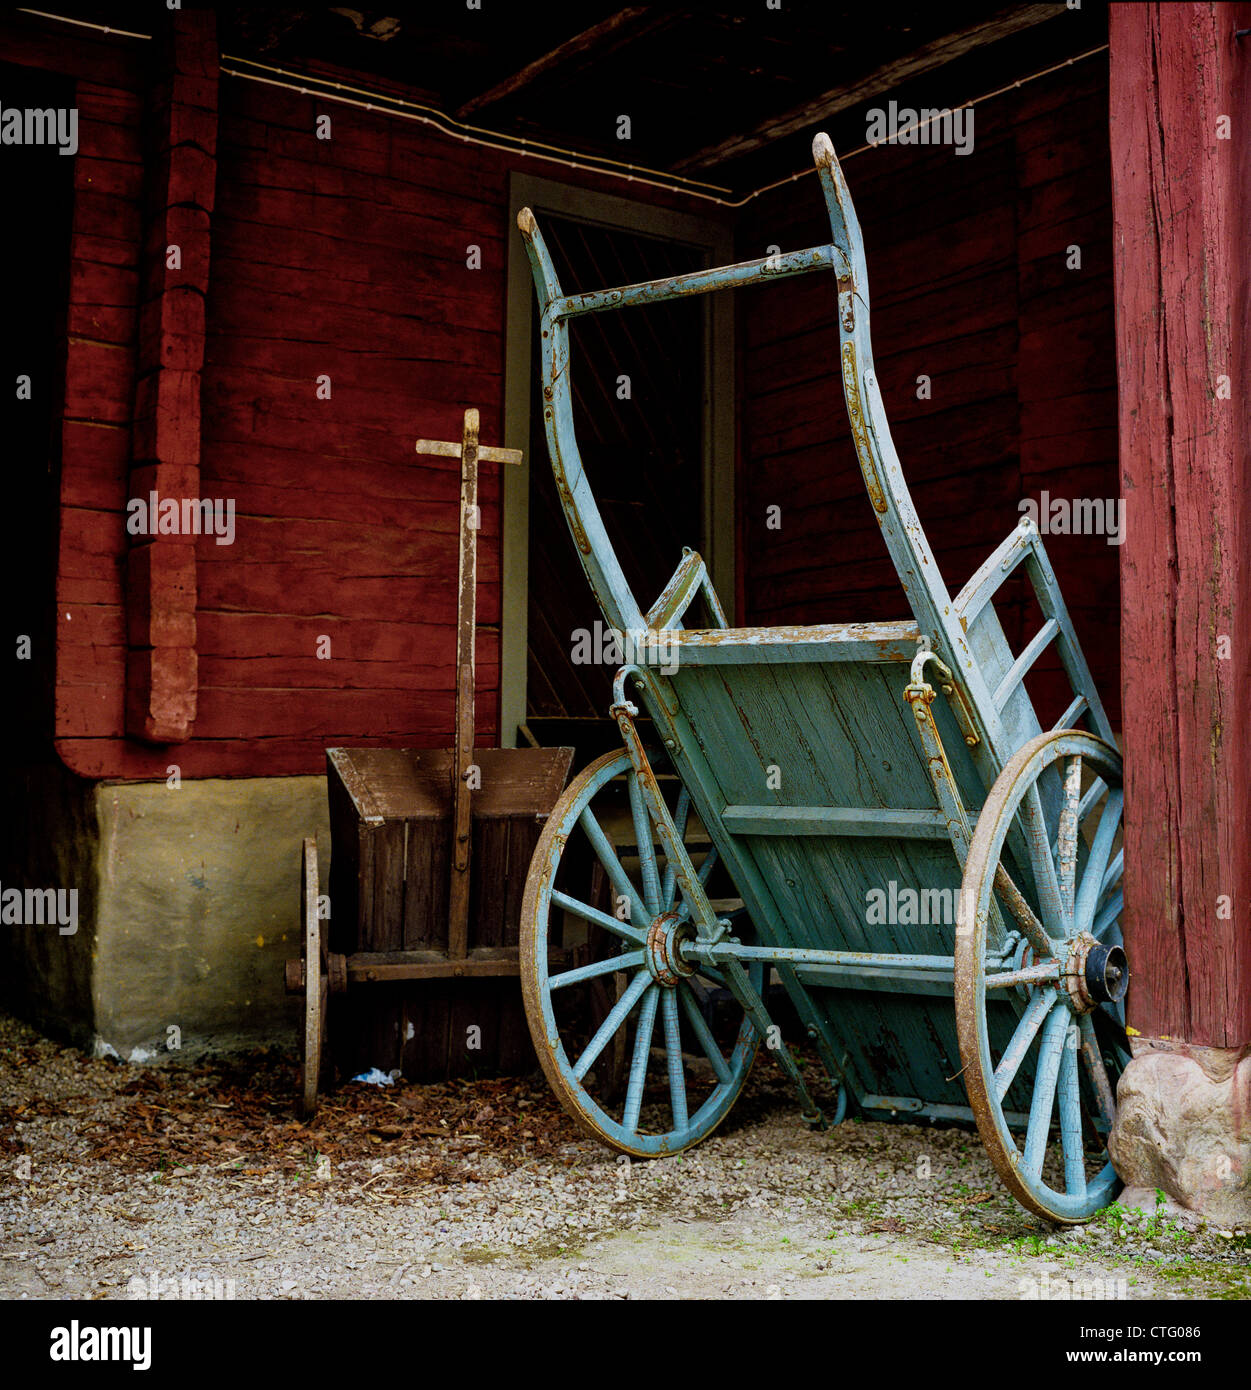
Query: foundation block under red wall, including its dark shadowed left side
188	908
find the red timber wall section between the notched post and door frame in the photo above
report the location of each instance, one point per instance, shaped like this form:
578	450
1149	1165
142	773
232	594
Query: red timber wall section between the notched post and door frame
345	258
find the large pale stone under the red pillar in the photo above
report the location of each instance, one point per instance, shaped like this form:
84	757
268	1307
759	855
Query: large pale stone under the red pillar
1184	1127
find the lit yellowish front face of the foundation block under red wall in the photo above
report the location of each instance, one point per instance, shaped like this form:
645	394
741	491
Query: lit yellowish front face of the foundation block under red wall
199	907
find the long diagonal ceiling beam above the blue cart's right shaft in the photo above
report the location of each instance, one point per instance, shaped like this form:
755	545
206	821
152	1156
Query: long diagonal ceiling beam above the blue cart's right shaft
926	59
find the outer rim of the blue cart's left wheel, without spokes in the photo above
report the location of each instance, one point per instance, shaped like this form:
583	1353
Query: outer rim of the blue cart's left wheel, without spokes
540	1014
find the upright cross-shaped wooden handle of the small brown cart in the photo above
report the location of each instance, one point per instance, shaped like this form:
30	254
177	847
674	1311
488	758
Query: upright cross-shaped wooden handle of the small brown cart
469	451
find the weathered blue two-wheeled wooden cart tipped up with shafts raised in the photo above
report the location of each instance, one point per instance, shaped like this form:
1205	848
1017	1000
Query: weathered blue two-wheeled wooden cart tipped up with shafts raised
932	876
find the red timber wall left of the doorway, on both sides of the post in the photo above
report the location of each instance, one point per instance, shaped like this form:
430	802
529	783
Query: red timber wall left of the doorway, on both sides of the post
343	258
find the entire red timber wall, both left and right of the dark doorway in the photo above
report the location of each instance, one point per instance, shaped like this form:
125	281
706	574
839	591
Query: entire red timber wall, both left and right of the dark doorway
347	258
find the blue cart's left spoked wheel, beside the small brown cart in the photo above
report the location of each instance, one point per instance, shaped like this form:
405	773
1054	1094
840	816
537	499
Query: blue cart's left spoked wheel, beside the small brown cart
682	1082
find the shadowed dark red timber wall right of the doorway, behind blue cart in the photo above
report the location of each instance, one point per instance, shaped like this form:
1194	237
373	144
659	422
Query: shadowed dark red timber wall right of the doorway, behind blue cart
970	287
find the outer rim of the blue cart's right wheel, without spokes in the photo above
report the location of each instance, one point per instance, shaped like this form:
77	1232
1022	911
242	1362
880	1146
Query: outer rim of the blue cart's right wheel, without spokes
993	825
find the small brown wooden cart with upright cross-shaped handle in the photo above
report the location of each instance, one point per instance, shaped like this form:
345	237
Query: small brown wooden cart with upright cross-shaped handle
436	943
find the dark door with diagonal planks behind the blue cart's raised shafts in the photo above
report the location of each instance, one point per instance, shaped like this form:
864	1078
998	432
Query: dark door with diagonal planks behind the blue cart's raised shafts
639	383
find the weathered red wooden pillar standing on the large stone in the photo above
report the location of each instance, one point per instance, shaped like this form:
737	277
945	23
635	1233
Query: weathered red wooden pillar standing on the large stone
1181	113
